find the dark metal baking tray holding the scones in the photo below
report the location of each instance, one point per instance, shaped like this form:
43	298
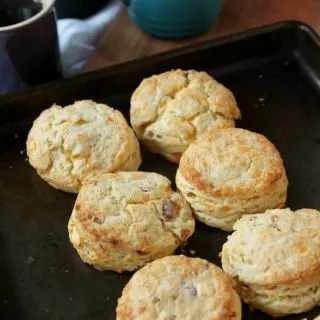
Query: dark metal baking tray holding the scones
274	72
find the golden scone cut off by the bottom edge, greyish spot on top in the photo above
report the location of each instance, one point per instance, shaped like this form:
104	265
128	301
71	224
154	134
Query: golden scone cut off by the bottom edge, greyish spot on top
176	288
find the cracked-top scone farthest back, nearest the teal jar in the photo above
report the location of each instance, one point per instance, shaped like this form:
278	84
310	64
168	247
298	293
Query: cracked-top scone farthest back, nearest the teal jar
172	109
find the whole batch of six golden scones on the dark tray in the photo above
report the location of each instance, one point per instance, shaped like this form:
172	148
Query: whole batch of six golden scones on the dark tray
228	178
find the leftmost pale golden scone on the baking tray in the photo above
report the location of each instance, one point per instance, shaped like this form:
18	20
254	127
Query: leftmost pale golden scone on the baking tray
66	144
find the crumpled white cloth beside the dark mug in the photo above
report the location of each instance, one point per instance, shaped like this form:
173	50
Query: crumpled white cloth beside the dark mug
78	38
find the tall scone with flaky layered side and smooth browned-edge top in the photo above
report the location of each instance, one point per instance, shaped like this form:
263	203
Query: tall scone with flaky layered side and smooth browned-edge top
231	173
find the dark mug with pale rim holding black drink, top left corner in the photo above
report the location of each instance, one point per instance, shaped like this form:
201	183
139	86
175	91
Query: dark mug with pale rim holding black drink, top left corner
29	48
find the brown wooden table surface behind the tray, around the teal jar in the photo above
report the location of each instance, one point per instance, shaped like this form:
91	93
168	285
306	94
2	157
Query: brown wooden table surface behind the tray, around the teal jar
123	41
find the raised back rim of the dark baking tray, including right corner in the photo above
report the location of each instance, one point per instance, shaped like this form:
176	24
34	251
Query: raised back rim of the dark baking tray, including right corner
219	41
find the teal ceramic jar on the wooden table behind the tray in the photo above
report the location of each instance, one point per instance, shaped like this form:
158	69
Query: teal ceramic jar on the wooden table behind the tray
173	18
